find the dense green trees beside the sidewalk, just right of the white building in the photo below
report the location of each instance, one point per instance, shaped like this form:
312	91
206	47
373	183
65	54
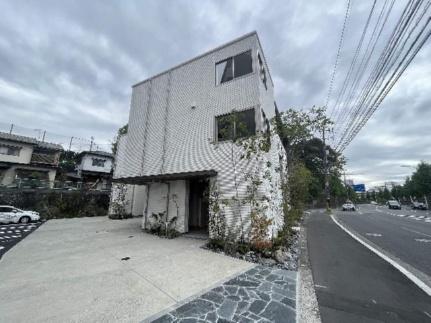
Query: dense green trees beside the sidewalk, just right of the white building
300	132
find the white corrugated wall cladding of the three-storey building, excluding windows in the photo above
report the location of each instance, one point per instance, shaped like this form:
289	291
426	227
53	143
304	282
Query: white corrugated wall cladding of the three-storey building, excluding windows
172	121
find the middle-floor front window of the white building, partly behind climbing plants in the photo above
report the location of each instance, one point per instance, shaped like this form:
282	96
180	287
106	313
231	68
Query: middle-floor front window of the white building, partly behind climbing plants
235	125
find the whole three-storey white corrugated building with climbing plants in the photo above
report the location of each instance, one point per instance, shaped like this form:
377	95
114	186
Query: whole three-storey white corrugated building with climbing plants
178	148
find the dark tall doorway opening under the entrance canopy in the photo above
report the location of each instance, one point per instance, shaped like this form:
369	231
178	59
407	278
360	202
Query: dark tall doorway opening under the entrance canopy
198	206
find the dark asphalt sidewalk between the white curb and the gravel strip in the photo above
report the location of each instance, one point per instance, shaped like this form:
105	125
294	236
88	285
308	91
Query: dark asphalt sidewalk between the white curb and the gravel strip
355	285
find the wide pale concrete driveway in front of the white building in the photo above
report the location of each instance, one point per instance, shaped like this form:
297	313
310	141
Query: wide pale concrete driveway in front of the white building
71	271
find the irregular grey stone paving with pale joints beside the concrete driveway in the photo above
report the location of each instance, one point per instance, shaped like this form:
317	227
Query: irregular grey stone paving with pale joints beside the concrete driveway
262	294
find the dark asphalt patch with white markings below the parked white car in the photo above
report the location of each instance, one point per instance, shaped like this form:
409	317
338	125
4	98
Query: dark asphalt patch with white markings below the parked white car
11	234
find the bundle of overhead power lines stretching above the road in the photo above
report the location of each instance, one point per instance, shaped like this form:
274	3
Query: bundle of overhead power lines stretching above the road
394	59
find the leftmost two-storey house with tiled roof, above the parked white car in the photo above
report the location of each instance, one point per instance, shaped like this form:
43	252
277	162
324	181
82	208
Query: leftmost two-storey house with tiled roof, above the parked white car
27	162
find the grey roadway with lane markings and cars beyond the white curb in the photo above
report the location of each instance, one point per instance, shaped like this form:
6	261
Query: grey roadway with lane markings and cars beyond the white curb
405	234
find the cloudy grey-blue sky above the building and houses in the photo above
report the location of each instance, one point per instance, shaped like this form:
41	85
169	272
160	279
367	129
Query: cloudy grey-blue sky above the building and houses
67	67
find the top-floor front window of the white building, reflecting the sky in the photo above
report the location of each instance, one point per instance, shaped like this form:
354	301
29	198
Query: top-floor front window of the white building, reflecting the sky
233	67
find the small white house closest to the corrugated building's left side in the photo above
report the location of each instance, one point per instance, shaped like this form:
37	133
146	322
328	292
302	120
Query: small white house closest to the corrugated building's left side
94	169
